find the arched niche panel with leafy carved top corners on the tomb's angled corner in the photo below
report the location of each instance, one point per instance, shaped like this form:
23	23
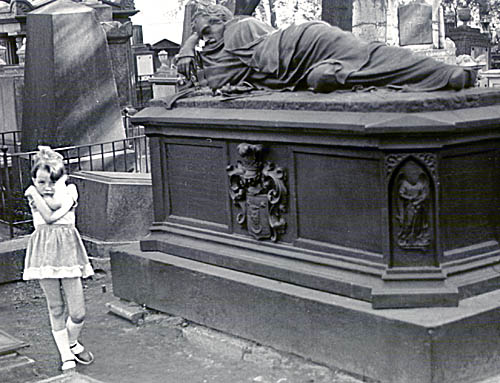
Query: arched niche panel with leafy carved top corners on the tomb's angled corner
412	178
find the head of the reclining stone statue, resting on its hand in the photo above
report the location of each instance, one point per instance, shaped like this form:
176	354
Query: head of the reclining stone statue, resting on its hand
208	20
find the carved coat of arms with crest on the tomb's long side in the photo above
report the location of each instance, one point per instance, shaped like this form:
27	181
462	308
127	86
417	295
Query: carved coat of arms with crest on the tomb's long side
258	189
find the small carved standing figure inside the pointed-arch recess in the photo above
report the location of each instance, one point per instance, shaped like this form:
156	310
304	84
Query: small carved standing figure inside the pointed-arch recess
413	198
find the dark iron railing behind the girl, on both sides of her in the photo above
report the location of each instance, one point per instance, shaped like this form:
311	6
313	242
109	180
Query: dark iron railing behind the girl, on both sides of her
130	154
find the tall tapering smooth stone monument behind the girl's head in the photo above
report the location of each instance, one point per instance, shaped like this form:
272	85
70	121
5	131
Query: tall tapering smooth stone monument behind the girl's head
70	95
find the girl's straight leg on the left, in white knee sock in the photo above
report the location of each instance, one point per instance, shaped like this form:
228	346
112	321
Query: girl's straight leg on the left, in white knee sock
55	304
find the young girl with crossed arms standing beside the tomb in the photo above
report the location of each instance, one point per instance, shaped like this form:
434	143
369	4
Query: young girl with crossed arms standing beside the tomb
55	254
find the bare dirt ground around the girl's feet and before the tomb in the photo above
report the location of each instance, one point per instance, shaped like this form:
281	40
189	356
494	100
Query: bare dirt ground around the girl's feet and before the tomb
162	349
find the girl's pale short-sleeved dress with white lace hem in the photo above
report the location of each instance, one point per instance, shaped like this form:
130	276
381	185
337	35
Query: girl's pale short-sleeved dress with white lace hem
56	250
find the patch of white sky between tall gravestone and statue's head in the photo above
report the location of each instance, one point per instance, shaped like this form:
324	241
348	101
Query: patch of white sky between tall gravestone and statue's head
156	24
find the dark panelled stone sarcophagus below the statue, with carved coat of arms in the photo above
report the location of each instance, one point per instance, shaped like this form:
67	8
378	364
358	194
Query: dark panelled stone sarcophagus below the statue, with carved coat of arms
390	198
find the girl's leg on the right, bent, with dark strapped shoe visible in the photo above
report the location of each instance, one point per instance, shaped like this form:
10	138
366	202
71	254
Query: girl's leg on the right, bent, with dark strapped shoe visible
76	307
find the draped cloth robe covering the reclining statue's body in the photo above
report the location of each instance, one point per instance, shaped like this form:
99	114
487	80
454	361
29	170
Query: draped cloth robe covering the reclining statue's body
254	52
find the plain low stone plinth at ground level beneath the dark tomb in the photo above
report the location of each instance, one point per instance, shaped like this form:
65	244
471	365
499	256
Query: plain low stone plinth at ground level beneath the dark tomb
423	345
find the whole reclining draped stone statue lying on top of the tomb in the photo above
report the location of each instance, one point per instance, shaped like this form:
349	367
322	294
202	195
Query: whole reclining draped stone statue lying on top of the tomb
313	55
